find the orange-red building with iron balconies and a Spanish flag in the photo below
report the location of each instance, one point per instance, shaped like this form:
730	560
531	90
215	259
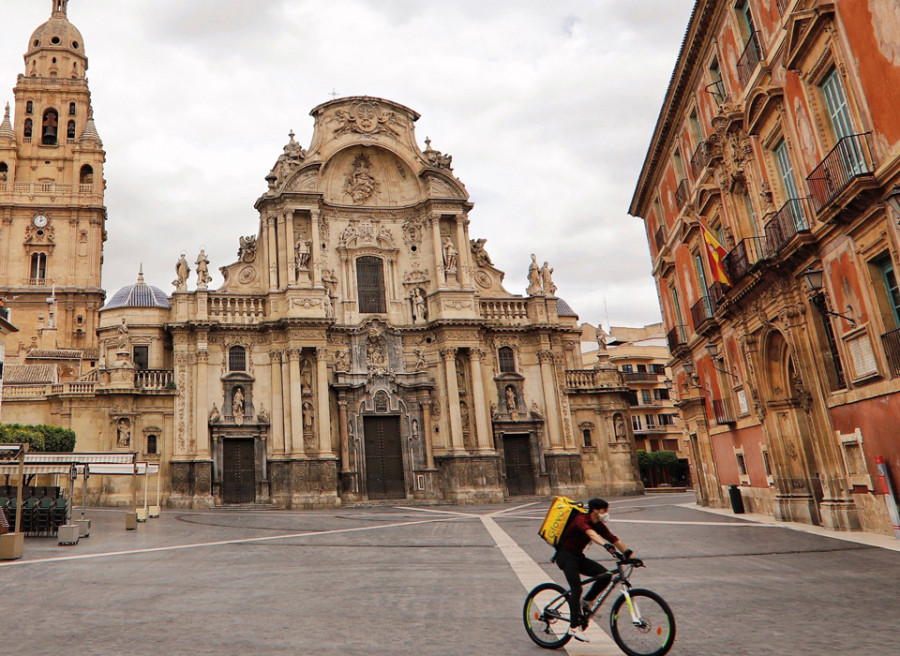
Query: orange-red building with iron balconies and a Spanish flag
771	198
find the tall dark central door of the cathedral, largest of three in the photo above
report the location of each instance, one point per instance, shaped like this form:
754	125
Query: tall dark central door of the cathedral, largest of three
384	458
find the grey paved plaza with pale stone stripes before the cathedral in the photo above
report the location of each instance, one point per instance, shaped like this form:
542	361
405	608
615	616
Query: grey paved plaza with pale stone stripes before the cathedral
435	581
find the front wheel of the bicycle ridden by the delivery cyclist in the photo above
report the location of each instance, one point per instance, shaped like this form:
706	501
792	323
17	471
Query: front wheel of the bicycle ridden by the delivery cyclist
645	629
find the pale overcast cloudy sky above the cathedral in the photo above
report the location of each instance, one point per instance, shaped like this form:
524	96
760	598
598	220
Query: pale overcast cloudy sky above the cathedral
546	107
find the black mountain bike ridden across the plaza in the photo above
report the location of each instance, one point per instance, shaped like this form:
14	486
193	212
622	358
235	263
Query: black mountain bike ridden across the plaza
641	622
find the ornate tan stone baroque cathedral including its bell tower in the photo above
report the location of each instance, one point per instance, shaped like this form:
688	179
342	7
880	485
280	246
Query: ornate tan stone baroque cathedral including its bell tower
361	347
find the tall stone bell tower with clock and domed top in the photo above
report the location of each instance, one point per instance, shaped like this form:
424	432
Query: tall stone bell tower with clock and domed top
52	216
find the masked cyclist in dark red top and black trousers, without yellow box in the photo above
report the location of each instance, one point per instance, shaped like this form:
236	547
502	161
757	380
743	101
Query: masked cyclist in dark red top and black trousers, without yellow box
581	531
